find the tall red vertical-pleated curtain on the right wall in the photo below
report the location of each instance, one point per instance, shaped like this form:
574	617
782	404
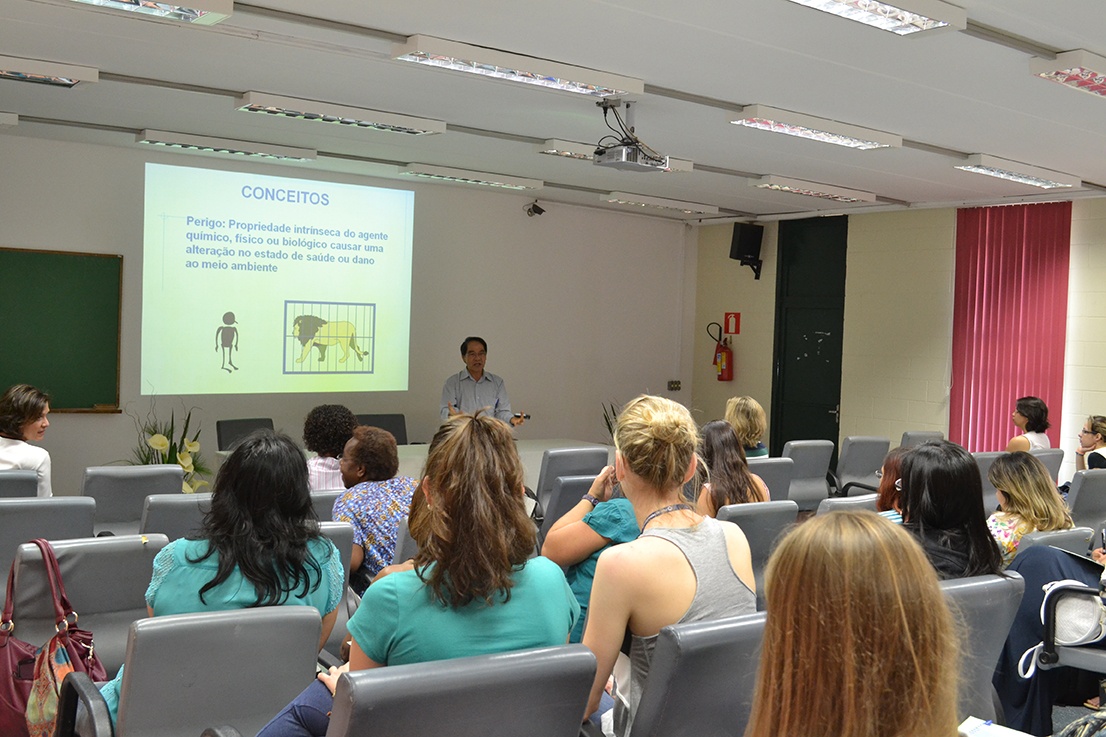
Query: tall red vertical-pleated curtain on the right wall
1009	319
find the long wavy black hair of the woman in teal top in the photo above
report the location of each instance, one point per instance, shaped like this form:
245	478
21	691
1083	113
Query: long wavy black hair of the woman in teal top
262	521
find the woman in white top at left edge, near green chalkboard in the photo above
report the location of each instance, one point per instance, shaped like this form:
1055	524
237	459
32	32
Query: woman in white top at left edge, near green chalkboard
24	413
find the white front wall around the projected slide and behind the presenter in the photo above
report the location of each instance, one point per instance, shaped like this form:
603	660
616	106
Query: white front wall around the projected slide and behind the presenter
580	307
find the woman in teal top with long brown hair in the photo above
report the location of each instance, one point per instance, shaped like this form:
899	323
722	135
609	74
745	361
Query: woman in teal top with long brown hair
472	589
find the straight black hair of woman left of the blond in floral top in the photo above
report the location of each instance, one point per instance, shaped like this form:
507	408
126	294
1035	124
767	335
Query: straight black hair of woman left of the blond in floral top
942	497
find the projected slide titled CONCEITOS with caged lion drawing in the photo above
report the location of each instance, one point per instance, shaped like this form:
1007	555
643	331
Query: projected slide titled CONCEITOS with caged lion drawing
266	285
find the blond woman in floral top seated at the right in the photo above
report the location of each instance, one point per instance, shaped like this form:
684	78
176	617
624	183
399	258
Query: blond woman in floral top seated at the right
1028	502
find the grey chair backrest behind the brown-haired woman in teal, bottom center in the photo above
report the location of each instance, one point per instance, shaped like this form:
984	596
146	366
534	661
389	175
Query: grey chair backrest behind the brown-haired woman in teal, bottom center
538	693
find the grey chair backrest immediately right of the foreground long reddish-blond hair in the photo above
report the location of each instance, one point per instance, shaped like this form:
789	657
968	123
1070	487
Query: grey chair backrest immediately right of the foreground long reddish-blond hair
988	605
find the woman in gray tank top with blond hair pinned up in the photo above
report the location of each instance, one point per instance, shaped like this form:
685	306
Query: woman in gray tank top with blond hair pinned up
684	568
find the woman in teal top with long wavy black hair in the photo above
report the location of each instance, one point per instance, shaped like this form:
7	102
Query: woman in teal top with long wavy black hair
259	546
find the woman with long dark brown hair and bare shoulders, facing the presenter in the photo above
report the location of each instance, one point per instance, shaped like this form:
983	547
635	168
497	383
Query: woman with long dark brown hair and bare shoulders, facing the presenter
729	480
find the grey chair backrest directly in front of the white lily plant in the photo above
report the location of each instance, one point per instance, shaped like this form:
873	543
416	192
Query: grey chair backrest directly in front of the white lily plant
121	493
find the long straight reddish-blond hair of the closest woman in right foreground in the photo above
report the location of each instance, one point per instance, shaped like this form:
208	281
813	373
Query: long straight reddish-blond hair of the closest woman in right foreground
853	601
